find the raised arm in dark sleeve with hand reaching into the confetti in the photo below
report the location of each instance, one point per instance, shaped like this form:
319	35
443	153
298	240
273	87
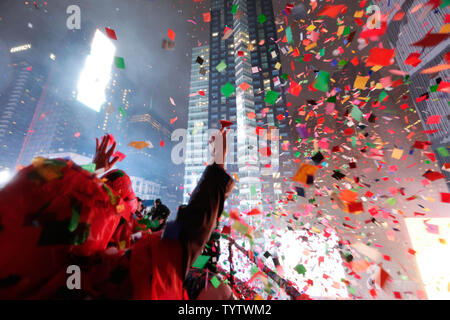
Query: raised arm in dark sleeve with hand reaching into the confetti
198	219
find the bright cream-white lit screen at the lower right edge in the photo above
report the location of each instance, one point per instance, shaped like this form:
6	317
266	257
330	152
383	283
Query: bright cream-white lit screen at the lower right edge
432	254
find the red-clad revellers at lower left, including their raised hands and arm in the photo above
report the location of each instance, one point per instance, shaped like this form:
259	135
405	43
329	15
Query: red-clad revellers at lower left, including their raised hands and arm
55	215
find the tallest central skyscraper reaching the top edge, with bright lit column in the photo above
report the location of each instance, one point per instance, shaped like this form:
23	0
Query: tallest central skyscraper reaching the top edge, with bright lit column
244	54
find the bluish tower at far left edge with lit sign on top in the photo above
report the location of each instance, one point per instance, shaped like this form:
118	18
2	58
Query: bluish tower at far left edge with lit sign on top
26	81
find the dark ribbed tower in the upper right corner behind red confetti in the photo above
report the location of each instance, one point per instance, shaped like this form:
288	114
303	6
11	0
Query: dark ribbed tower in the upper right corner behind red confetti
401	34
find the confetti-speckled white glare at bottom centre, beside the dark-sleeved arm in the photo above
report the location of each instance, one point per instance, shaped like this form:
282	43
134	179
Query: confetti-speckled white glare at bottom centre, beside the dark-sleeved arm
292	252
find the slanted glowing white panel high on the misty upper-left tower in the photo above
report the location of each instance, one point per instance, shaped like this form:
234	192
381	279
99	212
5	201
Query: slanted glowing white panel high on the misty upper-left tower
96	72
